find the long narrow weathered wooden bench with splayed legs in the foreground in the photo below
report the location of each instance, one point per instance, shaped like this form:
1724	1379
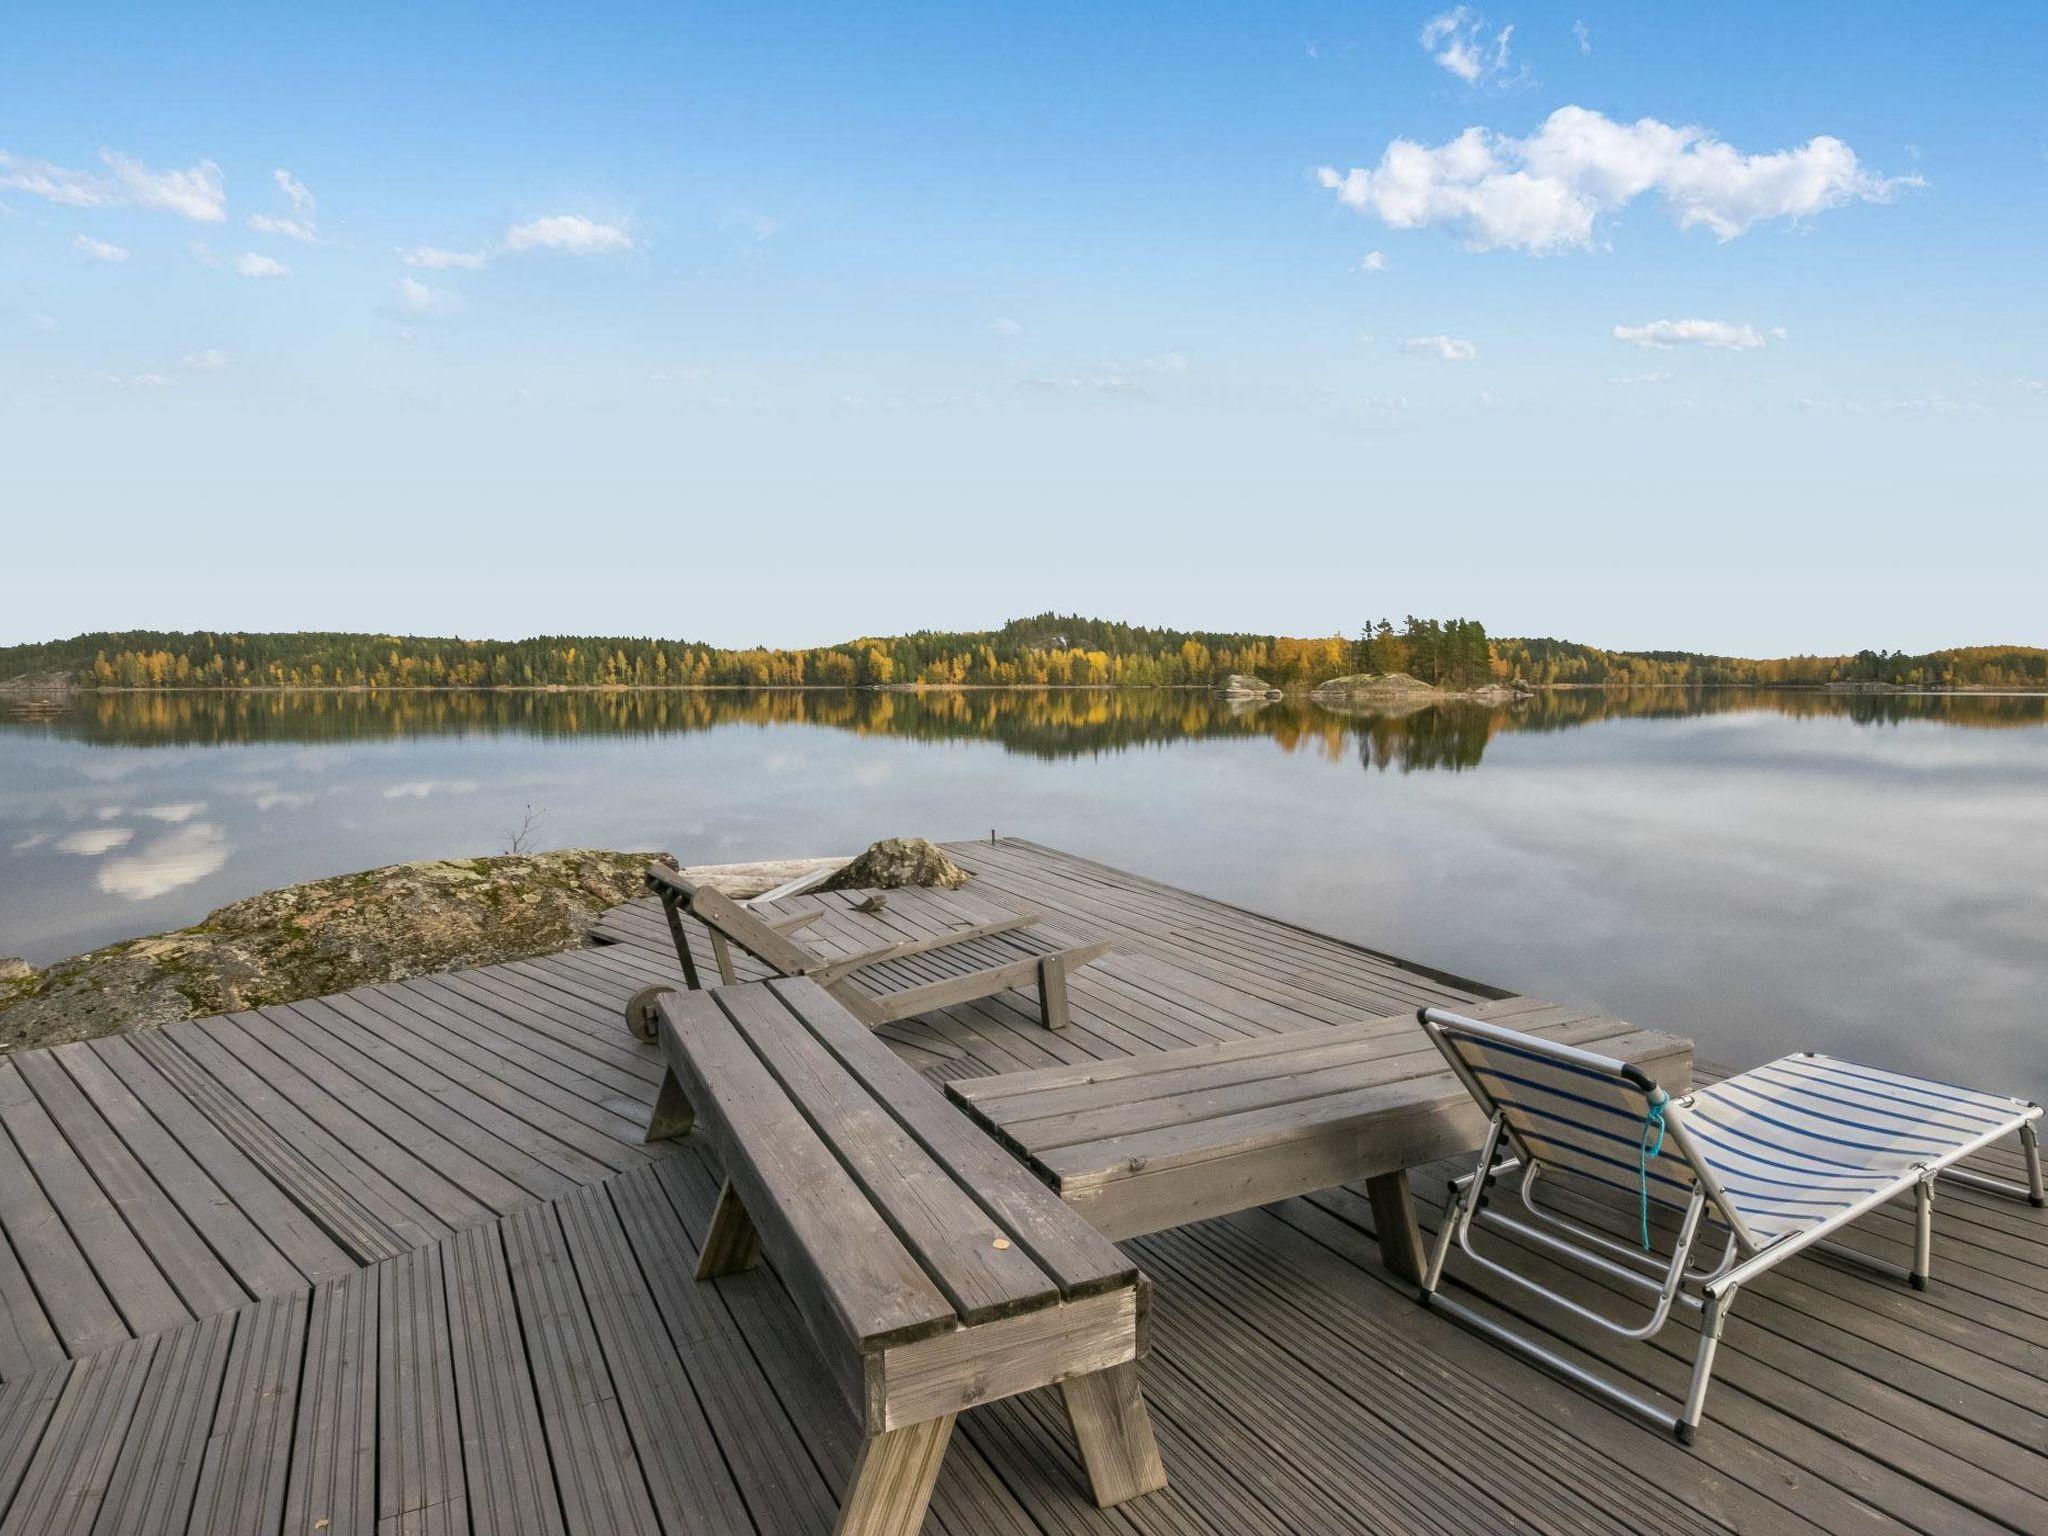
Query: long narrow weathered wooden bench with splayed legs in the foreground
933	1271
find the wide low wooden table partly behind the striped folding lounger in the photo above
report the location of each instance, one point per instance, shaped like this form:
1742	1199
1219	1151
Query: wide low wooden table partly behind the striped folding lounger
1144	1144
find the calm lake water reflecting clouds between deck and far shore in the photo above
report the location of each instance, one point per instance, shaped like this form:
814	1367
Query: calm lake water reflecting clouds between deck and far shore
1760	871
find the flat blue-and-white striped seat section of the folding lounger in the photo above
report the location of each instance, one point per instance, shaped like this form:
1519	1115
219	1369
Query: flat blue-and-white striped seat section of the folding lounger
1807	1138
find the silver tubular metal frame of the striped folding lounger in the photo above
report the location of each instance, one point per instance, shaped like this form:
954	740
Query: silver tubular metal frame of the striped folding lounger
1711	1289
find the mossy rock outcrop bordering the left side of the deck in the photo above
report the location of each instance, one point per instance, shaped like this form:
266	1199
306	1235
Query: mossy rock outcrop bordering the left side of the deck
306	941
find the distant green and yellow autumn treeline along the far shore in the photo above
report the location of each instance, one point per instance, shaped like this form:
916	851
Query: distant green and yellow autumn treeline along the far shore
1050	650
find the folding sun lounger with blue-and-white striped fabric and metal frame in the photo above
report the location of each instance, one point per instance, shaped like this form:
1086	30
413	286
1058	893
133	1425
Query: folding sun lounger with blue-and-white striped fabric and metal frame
1777	1160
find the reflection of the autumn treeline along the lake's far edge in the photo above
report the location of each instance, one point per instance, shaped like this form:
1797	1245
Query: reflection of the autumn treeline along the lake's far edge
1043	724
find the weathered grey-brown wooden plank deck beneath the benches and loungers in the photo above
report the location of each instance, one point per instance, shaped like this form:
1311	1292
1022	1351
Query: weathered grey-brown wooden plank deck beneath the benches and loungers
398	1263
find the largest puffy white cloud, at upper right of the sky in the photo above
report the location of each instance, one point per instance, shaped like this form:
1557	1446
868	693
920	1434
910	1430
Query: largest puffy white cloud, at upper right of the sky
1547	191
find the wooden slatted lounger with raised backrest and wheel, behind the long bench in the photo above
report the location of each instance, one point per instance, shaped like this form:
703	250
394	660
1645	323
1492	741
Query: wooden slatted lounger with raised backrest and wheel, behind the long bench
886	984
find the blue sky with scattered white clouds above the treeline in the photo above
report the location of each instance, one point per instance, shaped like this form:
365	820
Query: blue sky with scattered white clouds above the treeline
794	323
